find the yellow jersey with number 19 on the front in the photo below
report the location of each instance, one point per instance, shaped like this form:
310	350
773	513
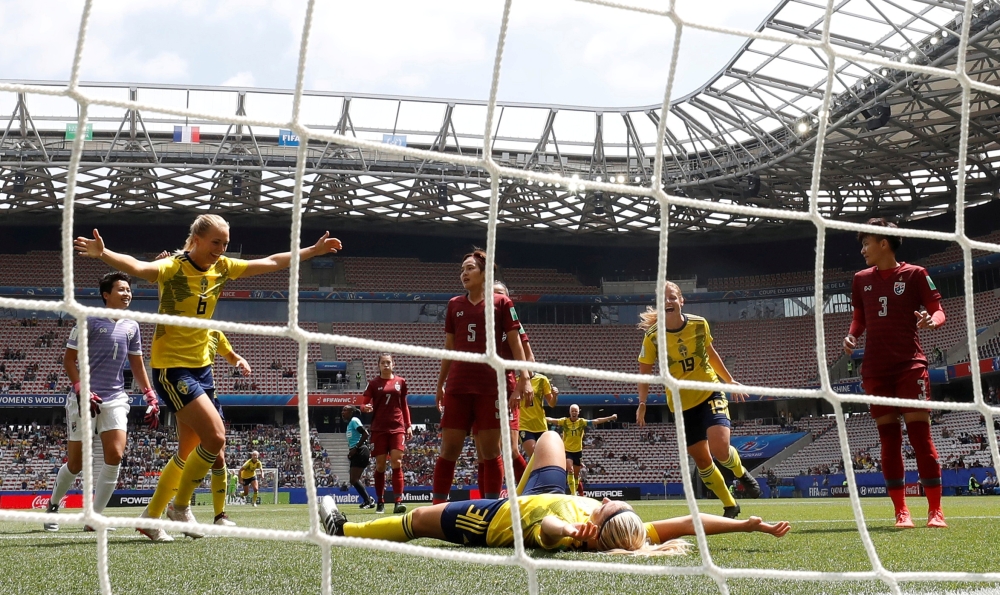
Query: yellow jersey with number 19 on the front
687	356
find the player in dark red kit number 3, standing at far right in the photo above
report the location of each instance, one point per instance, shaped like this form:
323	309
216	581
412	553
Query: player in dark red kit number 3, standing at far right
887	302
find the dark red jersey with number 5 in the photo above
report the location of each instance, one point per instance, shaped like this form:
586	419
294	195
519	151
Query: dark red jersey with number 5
467	321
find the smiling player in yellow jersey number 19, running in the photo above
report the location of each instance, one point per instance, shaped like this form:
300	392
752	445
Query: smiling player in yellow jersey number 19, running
691	356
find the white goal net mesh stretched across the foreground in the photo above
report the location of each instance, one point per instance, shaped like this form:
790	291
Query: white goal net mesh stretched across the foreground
293	331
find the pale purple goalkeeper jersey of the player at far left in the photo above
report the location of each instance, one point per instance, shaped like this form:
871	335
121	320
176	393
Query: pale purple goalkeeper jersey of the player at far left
109	342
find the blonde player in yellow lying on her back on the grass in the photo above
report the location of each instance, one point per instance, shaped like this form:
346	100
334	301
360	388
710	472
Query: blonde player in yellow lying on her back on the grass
550	519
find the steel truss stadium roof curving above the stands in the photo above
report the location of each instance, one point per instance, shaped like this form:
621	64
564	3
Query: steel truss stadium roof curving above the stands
747	136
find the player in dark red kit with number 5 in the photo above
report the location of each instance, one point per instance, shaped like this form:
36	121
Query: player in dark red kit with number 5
469	402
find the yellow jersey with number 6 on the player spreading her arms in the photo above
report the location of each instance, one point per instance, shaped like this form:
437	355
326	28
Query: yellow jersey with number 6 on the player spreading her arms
186	290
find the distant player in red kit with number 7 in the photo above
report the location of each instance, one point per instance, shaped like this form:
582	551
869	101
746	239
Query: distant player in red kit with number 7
385	397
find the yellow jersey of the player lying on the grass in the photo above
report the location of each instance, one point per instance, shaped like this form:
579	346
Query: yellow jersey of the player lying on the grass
572	509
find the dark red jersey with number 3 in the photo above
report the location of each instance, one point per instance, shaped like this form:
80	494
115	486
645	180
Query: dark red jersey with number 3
885	307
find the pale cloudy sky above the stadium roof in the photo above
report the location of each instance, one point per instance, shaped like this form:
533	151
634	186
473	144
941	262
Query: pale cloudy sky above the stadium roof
558	51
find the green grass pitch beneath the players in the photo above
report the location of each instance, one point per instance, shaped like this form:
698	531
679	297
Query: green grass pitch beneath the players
823	537
